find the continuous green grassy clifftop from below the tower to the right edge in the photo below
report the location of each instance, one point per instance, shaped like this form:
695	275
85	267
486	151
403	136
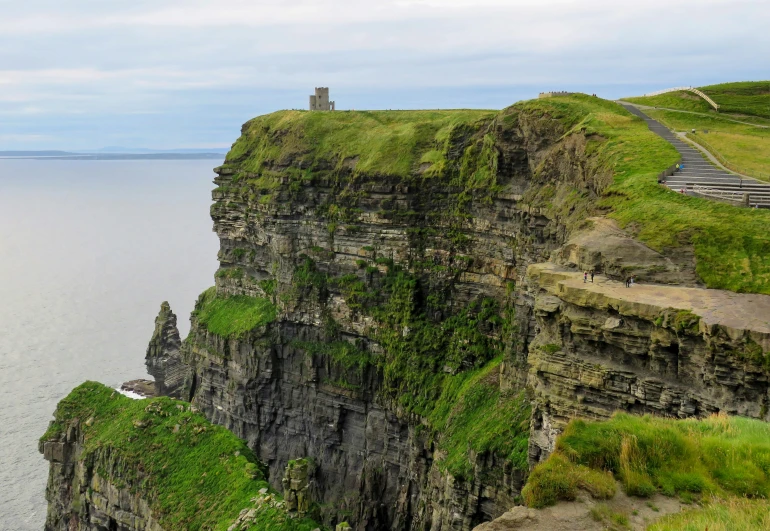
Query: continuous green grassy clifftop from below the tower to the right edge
464	148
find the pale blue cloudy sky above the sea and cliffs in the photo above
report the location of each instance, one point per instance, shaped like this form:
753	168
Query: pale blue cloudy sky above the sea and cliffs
84	74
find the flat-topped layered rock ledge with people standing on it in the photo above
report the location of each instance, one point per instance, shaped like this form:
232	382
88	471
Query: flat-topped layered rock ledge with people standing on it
601	347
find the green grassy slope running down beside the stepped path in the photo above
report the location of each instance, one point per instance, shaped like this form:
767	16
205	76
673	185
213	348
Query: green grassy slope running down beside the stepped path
732	245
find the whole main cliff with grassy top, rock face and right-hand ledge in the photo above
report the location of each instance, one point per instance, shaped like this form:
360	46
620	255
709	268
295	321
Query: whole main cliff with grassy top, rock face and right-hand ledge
373	313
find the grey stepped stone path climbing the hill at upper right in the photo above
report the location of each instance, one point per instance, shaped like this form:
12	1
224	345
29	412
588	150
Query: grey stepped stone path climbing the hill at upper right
699	171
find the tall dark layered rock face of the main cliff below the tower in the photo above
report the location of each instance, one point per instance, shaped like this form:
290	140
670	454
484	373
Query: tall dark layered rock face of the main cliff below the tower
328	250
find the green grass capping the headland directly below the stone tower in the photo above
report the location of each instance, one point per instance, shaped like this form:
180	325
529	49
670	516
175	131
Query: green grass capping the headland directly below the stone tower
380	142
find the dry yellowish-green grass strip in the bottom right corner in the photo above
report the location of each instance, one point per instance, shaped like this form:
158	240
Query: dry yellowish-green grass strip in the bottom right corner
734	514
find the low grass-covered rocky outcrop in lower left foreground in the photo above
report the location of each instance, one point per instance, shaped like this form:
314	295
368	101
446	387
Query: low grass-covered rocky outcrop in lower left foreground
152	465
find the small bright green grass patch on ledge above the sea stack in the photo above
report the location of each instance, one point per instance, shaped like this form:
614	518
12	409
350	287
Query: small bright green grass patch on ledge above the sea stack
233	316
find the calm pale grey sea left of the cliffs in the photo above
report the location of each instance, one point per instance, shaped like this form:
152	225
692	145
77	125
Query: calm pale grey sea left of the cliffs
88	251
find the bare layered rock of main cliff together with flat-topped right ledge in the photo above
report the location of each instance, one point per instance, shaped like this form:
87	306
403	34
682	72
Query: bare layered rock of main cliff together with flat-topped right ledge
319	239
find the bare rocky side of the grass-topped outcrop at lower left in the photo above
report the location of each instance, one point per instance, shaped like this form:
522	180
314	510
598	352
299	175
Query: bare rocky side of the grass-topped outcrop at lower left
80	498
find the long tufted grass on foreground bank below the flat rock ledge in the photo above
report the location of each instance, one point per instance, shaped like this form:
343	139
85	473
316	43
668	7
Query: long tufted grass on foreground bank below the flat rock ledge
726	456
